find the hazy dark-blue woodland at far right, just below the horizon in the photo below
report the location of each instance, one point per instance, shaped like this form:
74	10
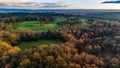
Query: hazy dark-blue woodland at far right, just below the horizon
112	16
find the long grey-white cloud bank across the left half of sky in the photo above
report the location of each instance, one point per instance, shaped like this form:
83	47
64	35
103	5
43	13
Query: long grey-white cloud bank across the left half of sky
28	4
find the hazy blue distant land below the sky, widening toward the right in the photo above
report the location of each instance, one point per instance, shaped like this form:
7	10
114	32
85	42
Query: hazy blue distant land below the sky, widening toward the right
87	13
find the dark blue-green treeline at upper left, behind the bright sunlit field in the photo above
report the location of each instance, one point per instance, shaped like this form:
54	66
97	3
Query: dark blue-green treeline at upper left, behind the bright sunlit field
20	17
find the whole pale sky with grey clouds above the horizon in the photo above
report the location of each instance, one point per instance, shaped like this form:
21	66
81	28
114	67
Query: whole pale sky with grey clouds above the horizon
61	4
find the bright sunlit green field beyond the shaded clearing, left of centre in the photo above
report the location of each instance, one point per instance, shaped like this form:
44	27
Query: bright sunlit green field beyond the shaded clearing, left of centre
34	25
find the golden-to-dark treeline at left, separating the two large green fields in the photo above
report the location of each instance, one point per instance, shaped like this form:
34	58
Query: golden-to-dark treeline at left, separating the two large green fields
15	37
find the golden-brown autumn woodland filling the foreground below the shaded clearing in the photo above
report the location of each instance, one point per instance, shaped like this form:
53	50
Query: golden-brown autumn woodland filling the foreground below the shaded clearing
53	56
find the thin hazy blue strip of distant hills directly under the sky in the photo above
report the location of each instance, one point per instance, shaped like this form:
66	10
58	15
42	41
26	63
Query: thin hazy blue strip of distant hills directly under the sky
56	10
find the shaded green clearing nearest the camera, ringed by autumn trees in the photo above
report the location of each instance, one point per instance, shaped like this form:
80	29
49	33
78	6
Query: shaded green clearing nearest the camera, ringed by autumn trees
27	45
